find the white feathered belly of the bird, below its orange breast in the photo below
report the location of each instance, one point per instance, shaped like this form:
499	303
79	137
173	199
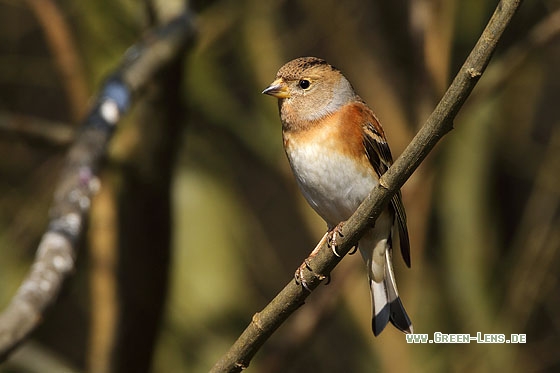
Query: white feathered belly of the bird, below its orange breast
333	184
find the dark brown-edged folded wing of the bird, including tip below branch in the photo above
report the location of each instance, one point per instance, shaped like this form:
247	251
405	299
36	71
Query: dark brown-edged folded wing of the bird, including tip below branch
379	155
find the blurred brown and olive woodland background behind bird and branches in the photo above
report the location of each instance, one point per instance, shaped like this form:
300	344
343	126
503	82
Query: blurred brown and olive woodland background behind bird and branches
199	222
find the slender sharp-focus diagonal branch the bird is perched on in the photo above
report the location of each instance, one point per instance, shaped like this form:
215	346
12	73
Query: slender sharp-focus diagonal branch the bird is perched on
438	124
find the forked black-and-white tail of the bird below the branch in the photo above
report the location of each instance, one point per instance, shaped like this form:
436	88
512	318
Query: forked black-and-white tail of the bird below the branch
387	305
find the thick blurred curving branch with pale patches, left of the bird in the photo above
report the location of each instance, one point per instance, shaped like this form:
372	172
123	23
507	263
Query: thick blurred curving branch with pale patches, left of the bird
78	182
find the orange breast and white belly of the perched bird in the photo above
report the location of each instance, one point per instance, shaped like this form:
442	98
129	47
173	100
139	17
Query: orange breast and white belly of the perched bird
330	164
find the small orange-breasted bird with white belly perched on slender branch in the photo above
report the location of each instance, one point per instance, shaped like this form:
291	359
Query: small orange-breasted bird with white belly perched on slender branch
337	150
